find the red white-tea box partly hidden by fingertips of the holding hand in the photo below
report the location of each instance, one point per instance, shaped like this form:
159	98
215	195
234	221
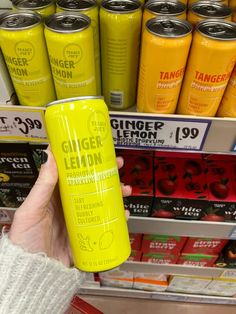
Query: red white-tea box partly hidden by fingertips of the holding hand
138	172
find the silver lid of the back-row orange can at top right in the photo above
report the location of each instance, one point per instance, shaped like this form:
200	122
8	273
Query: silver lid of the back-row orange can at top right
209	9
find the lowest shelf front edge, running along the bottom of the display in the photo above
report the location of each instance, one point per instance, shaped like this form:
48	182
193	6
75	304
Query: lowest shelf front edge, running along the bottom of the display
165	296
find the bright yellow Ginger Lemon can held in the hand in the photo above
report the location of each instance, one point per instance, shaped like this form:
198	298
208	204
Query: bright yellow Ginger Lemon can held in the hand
80	137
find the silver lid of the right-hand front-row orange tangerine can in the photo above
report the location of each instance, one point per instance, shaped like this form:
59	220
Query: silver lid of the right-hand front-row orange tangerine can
217	29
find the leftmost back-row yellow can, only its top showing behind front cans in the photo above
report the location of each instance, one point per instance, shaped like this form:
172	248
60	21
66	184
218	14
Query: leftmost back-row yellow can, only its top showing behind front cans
42	7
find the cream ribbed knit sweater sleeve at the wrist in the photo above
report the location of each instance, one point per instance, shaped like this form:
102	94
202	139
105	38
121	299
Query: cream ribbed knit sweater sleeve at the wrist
34	283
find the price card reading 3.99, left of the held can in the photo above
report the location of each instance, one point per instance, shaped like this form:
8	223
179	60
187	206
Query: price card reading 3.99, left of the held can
22	123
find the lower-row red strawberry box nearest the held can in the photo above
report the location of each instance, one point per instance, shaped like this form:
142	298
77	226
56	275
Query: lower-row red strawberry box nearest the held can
160	258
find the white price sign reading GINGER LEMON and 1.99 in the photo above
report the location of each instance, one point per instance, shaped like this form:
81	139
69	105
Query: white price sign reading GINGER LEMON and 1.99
163	133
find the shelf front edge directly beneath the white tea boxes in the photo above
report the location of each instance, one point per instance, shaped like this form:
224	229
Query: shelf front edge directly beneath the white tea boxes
191	228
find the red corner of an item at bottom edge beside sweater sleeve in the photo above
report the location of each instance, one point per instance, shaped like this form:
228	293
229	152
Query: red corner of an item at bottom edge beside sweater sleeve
79	306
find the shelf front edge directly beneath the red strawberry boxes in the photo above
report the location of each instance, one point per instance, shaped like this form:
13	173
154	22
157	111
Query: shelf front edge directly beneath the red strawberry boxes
172	269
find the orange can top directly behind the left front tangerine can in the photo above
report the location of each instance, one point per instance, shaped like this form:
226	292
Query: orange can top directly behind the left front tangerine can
170	9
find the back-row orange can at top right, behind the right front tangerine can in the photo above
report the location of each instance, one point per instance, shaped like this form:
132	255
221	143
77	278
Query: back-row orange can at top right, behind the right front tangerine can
203	10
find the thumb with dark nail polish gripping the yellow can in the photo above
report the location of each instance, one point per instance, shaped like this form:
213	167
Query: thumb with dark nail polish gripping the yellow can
43	188
